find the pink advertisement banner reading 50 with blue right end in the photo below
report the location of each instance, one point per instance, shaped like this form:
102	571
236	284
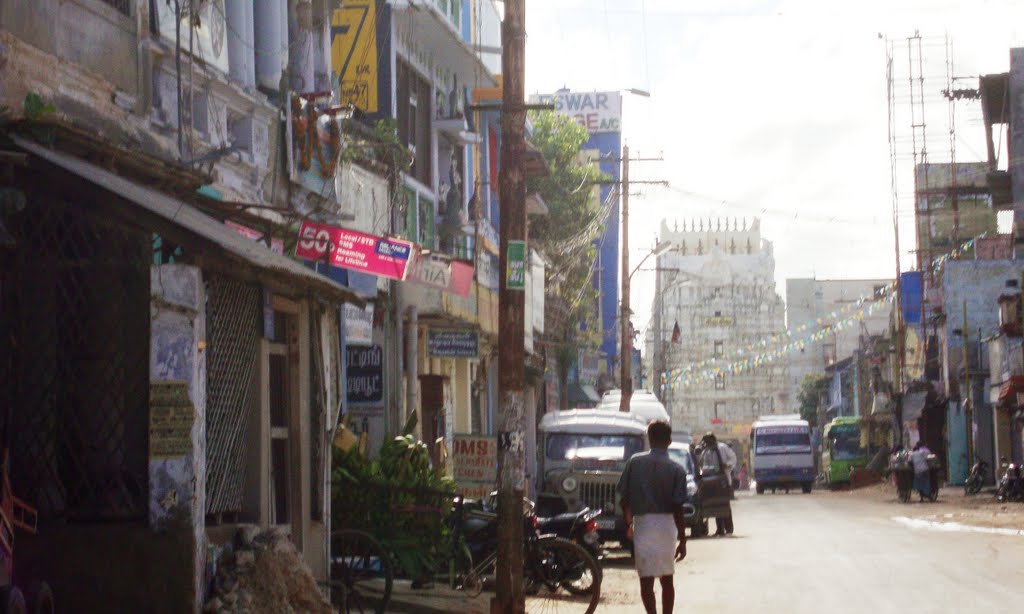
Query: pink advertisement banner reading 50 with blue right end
354	250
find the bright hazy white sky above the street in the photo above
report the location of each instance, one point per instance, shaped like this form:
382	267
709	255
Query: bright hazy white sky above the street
777	109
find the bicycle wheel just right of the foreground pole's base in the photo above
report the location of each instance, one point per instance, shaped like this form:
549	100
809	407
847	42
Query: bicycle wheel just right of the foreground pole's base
568	578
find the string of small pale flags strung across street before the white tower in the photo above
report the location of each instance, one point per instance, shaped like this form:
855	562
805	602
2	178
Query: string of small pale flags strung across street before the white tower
758	355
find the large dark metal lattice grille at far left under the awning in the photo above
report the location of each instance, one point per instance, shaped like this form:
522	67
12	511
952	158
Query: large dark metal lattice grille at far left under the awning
77	303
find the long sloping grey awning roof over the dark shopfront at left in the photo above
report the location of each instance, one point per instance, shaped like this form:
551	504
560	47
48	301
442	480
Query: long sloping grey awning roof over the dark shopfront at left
194	222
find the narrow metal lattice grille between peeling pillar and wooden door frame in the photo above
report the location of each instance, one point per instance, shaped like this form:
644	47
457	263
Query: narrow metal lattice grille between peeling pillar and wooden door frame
233	319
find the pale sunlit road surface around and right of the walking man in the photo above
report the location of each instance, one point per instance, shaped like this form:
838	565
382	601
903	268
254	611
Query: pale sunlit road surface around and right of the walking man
836	554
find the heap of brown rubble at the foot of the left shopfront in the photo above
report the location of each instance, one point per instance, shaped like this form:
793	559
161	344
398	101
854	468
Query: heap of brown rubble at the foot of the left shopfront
263	574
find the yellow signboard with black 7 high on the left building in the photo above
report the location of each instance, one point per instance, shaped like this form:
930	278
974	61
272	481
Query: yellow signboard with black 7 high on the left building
354	53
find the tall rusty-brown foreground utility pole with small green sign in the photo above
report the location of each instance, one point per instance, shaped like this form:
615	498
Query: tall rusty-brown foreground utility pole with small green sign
513	179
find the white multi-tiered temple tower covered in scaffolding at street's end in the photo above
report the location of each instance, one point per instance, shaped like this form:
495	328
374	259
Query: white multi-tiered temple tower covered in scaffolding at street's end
717	286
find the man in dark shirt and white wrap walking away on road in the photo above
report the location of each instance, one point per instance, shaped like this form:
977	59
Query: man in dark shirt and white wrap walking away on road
653	490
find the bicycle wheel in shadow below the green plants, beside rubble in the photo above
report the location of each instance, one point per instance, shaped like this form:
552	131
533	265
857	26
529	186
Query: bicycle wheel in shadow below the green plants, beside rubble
361	574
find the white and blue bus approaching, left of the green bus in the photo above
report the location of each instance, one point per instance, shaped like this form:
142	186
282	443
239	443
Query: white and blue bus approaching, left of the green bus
781	454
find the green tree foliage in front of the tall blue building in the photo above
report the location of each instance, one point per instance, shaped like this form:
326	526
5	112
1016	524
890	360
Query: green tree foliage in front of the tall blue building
572	193
